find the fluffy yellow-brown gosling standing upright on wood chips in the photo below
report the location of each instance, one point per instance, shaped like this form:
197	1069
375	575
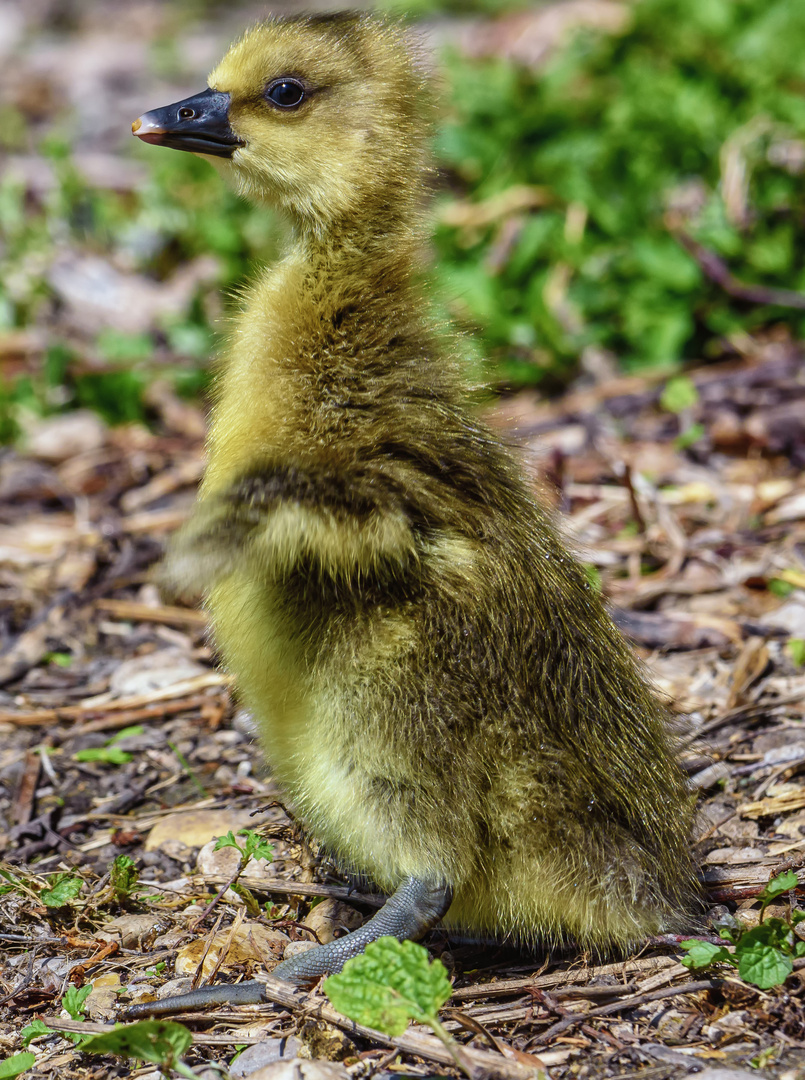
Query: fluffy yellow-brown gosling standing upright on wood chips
439	692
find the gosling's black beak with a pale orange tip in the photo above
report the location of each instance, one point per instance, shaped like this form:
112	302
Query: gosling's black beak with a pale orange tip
199	125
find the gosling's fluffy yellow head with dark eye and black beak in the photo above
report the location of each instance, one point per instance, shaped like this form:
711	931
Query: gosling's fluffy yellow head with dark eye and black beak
323	117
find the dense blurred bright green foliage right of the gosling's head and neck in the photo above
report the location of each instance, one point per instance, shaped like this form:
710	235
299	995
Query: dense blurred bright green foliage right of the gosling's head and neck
692	119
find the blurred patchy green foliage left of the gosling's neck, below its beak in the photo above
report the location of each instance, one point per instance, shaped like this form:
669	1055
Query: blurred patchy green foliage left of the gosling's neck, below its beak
182	212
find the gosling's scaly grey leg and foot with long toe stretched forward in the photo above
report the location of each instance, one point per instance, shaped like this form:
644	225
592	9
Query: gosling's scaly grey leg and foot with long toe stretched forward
408	915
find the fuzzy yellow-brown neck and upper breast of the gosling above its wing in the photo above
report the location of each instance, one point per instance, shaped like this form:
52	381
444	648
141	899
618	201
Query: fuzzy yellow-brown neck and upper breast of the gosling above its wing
325	334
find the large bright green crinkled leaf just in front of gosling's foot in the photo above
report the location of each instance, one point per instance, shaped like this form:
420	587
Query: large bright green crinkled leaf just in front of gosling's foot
390	984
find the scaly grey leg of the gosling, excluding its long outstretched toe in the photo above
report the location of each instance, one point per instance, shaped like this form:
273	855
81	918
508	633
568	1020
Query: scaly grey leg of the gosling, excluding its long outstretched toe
408	915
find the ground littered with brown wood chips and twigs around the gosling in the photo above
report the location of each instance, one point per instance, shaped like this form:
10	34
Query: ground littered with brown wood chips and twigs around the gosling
704	569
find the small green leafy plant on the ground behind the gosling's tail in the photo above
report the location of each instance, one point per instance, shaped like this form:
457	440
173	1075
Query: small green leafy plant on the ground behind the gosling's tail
764	955
